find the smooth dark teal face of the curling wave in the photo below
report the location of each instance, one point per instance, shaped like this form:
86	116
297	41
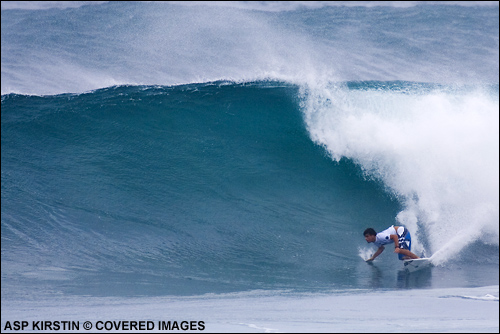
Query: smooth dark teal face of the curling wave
215	182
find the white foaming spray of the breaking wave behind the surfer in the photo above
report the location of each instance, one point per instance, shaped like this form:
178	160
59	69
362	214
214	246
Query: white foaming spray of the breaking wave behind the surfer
436	150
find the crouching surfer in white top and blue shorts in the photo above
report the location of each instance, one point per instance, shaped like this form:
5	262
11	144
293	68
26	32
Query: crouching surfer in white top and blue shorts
399	235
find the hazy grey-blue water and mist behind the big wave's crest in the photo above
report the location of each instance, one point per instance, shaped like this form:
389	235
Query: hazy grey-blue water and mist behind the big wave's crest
79	49
